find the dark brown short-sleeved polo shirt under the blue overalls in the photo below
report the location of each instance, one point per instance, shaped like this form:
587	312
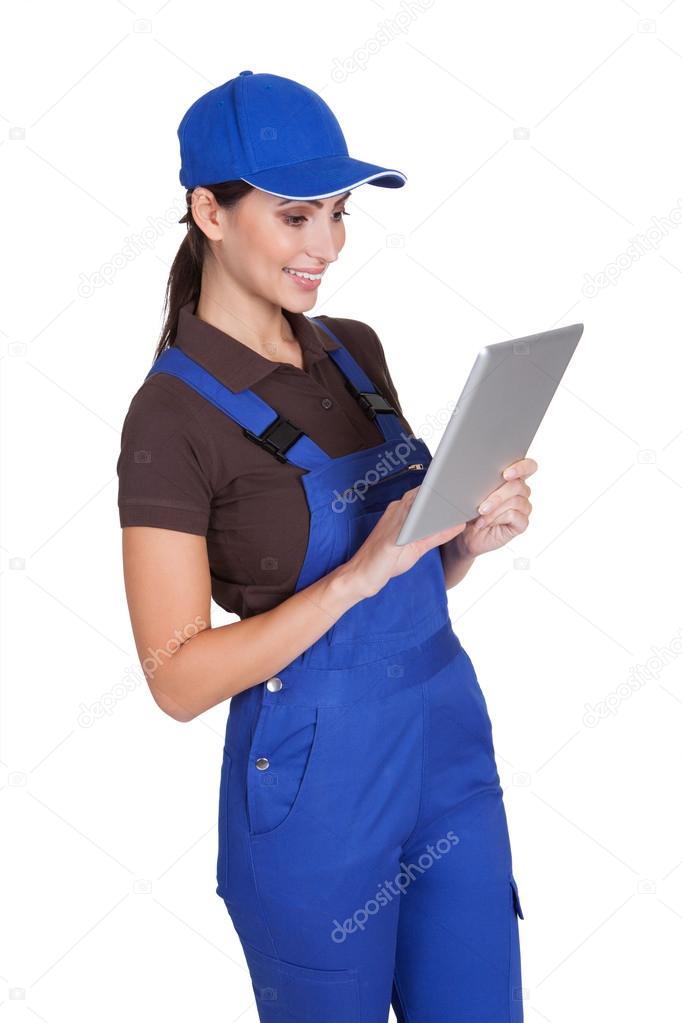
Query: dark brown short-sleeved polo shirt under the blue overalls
187	466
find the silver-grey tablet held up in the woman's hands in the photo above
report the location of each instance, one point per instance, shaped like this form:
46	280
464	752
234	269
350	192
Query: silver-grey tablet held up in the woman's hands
499	411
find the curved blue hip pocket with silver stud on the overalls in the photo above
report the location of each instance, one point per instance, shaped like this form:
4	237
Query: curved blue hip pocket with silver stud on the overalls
280	763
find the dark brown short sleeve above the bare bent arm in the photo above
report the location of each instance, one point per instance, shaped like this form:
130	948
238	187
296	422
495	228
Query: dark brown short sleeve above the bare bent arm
164	465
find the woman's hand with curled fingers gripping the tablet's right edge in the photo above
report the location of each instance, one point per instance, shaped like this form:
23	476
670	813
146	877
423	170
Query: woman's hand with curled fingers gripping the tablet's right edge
505	514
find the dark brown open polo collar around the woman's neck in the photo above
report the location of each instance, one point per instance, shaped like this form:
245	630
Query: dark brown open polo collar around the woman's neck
235	364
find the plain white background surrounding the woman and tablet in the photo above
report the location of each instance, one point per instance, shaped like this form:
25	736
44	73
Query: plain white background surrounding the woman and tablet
539	140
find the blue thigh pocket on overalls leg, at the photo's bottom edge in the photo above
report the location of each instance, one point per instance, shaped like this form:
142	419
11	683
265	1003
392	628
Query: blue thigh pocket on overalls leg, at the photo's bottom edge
285	991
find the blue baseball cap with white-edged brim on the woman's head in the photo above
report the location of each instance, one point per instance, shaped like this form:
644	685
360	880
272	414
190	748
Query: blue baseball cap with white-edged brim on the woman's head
276	135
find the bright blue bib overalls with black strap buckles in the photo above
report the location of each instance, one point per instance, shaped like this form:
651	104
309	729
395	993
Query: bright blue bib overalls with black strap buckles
363	853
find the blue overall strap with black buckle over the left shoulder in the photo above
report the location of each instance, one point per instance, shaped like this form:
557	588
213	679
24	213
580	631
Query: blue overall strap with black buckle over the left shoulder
259	421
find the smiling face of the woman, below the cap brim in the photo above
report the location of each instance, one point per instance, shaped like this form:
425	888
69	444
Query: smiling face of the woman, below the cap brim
265	234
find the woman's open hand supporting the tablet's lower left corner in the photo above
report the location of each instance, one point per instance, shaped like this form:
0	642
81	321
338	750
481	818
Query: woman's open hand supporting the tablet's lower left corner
380	558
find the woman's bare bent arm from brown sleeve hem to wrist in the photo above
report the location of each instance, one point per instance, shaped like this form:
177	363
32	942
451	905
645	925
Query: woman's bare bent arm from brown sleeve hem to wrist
191	666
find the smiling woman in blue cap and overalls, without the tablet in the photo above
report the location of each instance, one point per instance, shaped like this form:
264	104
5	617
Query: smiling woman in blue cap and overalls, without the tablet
363	849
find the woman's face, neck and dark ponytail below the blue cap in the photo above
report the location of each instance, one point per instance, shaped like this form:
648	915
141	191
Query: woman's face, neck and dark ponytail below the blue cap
243	240
